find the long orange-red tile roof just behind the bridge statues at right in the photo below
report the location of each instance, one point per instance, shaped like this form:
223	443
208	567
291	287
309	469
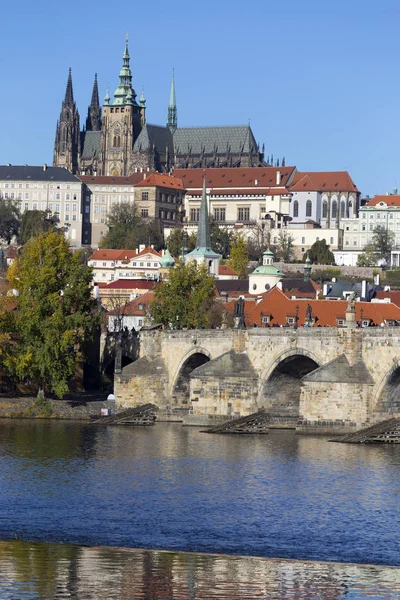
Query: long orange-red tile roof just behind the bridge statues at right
325	312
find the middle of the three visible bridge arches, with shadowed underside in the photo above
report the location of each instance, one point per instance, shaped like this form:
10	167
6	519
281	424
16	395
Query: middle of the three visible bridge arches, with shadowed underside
279	387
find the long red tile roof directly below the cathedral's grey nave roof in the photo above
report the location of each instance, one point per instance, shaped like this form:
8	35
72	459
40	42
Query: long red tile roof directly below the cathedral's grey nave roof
231	178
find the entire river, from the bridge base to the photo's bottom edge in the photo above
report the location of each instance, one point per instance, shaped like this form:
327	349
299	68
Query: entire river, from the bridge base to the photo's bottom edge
278	496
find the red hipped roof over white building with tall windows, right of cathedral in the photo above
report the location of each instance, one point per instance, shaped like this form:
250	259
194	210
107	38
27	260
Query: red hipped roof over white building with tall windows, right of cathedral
329	181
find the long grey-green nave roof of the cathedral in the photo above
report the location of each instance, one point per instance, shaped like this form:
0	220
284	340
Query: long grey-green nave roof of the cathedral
236	139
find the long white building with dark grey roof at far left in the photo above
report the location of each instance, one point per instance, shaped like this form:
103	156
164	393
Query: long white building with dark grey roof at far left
46	188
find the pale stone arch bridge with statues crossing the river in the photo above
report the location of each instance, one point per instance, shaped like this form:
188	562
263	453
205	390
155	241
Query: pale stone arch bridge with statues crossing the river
321	377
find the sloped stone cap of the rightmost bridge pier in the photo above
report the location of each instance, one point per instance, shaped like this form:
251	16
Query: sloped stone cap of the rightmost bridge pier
339	370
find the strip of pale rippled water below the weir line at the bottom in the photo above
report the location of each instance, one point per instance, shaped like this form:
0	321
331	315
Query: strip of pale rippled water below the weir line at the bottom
46	571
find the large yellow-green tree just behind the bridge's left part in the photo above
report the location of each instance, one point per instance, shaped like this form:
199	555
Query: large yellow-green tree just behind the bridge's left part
184	300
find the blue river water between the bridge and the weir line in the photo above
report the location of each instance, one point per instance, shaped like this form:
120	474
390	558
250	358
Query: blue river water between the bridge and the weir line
169	487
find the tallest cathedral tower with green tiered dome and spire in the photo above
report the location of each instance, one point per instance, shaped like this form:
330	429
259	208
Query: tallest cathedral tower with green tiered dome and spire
123	119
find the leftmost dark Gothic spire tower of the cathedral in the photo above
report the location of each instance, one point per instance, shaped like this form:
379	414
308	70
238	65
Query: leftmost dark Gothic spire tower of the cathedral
67	142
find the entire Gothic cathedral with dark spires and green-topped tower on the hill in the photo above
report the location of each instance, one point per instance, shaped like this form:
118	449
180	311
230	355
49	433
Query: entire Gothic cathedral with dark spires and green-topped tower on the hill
117	140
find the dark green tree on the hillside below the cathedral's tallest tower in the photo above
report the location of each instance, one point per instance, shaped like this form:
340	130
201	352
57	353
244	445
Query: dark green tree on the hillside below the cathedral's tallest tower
127	229
